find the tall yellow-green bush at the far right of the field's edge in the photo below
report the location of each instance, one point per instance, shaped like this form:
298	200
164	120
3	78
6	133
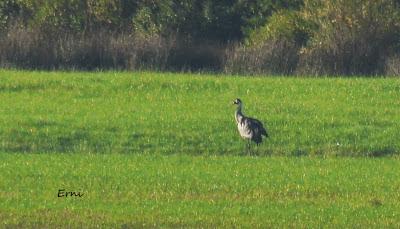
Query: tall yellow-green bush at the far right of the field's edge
351	37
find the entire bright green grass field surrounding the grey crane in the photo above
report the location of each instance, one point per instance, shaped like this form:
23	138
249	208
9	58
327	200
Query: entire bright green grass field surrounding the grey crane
162	150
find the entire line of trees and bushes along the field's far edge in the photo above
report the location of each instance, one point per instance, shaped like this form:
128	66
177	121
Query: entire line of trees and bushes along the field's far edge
316	37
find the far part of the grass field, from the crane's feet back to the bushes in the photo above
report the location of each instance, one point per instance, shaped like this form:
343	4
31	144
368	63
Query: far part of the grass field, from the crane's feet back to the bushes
166	113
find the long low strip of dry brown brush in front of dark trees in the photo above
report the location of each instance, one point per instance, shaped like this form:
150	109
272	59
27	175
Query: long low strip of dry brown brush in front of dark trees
30	48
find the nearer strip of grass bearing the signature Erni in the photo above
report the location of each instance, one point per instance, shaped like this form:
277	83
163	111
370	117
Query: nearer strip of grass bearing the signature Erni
127	191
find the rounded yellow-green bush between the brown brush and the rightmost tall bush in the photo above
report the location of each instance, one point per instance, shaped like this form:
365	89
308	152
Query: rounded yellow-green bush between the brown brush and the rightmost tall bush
271	49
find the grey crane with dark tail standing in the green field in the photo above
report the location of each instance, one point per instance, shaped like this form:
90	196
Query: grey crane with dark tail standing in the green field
250	129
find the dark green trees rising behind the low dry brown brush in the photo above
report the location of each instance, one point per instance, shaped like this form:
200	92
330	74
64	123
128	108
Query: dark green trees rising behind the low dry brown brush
215	20
